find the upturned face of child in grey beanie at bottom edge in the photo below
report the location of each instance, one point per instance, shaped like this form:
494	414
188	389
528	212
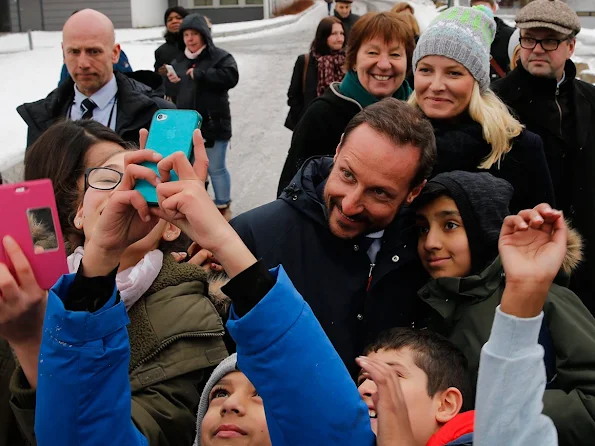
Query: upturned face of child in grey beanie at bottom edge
235	415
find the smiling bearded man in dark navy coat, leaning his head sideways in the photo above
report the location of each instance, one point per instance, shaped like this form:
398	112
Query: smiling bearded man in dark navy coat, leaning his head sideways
342	229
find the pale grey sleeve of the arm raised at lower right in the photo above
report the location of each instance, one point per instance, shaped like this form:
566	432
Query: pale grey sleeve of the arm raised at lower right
510	386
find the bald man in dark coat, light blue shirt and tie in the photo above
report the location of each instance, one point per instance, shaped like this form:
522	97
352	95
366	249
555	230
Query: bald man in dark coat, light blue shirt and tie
94	91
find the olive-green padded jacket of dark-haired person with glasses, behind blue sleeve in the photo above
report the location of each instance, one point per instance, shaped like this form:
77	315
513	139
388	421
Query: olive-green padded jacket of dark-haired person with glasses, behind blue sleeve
176	339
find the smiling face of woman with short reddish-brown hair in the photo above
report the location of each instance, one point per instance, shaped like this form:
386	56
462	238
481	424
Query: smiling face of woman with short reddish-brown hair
381	66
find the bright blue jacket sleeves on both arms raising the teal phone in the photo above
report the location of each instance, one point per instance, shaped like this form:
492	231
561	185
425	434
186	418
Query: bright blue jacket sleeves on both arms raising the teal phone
83	372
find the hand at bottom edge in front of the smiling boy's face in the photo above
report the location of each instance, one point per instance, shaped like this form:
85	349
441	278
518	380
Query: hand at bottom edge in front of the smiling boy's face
394	427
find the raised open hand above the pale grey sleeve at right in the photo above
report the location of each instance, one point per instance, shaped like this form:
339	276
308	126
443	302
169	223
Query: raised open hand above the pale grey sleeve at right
532	247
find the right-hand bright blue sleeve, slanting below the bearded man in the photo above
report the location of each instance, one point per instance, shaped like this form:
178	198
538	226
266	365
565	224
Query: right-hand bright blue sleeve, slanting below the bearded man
309	397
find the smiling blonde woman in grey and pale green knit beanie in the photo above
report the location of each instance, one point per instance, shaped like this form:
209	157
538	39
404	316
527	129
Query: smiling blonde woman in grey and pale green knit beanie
474	129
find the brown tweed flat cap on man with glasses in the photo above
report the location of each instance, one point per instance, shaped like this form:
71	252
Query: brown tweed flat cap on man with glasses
552	14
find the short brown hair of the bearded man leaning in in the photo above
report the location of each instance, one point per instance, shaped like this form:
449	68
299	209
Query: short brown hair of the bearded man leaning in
402	124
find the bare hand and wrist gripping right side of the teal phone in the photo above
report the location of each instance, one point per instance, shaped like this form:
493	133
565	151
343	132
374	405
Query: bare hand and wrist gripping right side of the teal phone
187	204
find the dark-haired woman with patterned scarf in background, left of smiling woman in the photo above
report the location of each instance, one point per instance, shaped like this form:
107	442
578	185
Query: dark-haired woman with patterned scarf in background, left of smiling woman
315	71
